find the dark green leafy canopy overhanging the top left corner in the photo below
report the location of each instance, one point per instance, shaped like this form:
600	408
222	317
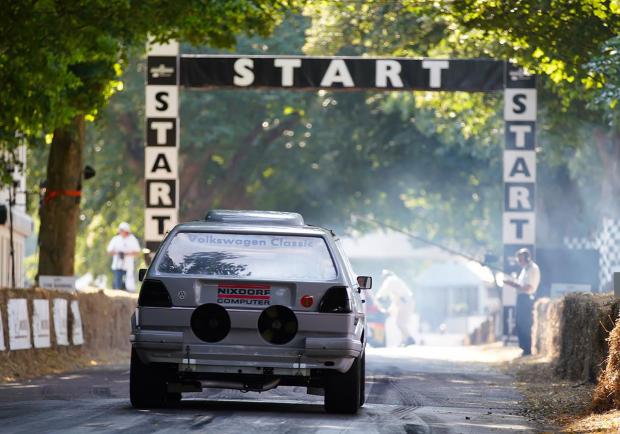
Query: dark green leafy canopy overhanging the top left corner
59	59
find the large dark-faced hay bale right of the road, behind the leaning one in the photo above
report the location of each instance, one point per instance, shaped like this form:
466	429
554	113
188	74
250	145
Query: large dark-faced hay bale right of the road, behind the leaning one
585	321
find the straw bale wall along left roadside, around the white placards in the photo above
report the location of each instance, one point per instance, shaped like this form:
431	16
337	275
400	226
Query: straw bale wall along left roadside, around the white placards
105	316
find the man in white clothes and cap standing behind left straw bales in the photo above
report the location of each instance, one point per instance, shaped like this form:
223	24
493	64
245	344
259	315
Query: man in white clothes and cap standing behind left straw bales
123	248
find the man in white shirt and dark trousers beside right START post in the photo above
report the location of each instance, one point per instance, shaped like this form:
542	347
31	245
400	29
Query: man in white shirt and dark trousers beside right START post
527	284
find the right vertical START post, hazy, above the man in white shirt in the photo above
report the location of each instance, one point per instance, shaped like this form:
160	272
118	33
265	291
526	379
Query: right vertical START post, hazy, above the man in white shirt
519	218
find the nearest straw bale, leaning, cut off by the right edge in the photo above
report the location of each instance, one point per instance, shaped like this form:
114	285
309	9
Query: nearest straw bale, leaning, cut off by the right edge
606	395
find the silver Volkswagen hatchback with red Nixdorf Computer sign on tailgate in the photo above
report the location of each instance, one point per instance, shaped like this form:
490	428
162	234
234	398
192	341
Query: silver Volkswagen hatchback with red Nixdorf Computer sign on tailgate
249	300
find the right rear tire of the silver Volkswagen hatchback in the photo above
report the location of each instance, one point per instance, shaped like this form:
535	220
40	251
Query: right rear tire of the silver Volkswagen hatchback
342	391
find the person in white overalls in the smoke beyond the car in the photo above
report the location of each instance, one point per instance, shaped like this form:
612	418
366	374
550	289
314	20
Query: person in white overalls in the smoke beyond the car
401	305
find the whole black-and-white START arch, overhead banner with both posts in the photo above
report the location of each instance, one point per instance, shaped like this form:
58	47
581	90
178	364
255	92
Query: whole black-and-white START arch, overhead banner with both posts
168	71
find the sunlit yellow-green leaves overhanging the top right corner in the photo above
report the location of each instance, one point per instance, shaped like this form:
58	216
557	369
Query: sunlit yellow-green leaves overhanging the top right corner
555	37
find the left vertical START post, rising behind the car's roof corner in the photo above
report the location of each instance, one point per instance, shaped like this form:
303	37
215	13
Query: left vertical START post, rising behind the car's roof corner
162	142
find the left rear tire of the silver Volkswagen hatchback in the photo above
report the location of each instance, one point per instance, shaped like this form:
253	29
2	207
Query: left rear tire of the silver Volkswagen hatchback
147	384
